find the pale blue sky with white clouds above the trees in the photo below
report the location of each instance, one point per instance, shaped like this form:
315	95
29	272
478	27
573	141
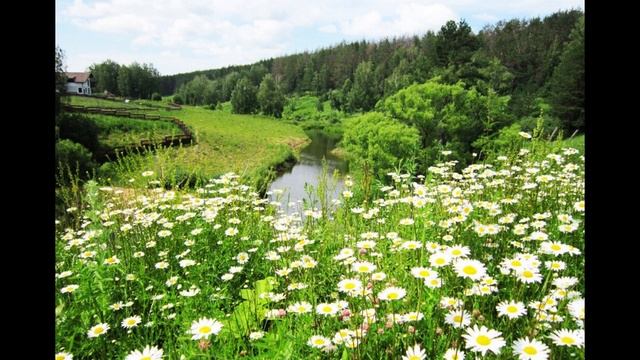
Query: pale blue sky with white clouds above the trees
178	36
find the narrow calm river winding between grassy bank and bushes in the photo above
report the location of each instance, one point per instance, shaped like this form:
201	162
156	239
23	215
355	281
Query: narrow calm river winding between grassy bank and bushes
307	170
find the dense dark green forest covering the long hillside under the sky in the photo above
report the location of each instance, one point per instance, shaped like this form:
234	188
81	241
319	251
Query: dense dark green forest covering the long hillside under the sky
539	63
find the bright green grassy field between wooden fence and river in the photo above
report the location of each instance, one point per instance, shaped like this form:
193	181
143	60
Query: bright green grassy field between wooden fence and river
246	144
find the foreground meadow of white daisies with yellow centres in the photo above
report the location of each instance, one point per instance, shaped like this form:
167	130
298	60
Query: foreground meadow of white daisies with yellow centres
483	263
